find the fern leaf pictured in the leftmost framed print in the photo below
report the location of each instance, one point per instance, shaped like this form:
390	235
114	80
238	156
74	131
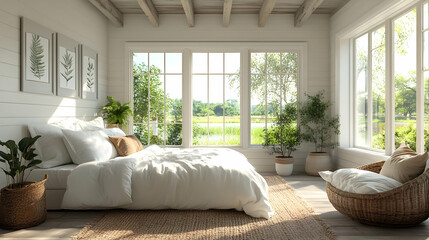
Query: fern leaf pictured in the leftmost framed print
37	66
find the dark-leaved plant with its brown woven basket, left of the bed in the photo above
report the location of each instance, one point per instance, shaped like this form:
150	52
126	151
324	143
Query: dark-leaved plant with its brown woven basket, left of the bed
22	204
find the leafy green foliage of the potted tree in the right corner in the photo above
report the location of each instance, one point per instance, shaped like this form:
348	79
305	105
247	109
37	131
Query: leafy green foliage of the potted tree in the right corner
317	125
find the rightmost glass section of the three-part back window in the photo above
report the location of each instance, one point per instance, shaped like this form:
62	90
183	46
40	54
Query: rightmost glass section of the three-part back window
273	84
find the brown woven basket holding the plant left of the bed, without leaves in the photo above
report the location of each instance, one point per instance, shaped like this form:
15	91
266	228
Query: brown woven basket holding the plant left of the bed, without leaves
23	207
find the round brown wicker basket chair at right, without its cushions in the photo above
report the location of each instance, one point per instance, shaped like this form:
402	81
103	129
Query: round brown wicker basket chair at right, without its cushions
404	206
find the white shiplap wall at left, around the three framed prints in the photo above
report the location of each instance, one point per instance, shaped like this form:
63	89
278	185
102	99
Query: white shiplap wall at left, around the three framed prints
77	19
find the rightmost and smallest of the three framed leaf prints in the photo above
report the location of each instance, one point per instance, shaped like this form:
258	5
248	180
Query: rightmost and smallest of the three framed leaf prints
88	73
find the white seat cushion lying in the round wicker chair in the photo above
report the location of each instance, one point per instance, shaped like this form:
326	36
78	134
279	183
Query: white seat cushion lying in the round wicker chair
359	181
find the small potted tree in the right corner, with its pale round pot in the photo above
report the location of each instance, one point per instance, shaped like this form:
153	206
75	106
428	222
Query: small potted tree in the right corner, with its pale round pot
318	128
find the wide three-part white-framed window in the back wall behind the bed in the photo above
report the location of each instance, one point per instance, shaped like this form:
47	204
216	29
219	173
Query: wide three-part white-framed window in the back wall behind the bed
188	94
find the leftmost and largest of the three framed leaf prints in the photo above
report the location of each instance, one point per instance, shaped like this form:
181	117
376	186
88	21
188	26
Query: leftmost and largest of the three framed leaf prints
37	53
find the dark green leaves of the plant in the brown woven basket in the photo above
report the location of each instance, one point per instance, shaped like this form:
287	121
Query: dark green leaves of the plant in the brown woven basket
18	162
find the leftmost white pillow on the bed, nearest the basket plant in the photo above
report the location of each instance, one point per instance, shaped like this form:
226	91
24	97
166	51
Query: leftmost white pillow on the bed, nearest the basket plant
50	147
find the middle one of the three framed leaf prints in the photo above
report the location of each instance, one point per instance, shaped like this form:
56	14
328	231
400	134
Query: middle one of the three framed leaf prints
67	66
